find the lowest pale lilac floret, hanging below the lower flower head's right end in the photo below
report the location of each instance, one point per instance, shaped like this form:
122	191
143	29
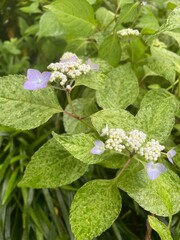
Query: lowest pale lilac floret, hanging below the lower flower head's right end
154	169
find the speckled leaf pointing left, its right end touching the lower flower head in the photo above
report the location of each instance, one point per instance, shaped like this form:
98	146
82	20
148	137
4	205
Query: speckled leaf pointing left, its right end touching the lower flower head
79	146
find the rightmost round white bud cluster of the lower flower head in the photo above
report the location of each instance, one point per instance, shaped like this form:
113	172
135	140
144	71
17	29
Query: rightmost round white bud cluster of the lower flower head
152	150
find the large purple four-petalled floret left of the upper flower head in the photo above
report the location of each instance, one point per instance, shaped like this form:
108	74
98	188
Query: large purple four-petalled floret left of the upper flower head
36	79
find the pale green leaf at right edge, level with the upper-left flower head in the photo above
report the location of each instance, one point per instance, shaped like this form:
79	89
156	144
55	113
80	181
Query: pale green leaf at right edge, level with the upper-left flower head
164	63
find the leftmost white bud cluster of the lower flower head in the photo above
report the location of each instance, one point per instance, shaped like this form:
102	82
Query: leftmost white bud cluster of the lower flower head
115	140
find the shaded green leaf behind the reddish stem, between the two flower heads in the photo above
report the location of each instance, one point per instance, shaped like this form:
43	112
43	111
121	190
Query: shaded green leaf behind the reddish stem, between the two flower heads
84	107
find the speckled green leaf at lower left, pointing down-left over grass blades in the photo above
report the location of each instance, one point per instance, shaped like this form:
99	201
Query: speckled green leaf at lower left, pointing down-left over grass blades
52	166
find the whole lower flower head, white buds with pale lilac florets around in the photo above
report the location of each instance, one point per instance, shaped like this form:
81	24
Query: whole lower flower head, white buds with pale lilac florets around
135	142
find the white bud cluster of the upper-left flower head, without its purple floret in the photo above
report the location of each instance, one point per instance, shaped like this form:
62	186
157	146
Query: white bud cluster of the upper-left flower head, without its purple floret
67	69
